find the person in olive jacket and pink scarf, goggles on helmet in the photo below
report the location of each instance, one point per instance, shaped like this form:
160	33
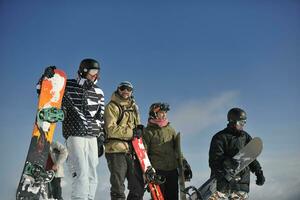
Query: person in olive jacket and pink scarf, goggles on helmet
159	140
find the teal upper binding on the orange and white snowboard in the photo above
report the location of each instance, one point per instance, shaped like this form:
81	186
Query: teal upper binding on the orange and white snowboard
51	115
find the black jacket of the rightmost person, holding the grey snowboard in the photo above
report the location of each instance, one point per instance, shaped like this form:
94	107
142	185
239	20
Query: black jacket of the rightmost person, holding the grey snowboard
224	145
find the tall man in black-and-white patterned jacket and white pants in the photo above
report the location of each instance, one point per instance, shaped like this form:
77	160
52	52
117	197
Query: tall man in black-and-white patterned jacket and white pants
83	127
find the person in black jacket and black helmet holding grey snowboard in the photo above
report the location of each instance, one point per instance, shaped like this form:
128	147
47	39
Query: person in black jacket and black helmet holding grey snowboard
224	145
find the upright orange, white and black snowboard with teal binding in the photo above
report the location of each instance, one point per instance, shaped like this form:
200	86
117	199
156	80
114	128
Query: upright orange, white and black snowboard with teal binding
34	176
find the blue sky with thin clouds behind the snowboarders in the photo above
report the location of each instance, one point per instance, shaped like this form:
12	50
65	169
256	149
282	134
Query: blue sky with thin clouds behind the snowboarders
202	57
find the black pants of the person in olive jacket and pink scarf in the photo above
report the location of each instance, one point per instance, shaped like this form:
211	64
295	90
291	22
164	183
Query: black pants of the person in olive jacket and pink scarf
170	187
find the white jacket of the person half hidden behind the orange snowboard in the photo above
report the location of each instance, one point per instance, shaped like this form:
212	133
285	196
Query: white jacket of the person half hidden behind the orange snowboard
59	154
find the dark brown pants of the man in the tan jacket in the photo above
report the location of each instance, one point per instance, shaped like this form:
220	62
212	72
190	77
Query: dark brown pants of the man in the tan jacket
121	166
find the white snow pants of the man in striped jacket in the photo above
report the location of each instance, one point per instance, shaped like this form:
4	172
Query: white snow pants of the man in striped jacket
82	162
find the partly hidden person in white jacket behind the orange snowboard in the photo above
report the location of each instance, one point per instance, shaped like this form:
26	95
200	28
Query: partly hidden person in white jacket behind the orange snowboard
58	154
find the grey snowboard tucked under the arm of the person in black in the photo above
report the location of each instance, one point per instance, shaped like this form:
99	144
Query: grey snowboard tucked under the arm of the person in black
244	157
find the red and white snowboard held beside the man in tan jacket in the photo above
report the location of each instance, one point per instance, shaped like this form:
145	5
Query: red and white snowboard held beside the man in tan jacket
152	179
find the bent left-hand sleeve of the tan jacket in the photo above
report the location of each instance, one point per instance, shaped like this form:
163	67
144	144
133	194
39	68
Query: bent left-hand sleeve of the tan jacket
114	130
